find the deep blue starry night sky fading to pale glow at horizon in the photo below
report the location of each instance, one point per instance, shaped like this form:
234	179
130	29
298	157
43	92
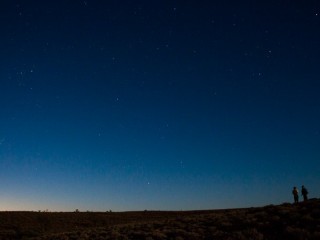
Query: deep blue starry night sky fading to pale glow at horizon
158	105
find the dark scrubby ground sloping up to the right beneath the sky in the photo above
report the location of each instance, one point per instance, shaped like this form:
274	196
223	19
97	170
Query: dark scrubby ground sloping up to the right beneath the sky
286	221
